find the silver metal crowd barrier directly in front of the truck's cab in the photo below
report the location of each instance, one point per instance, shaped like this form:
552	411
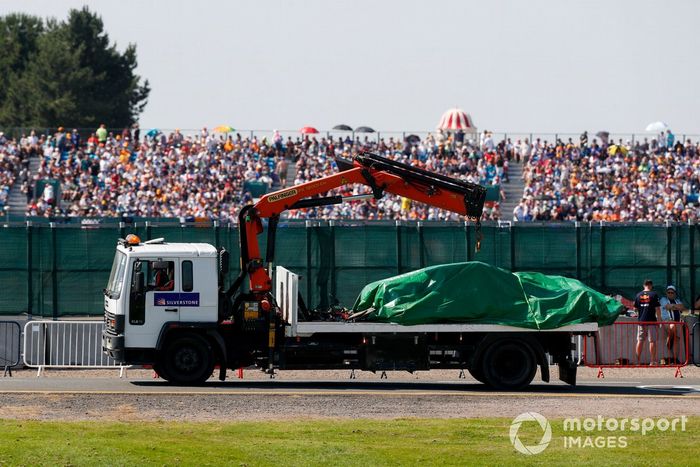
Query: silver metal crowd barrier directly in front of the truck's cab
66	344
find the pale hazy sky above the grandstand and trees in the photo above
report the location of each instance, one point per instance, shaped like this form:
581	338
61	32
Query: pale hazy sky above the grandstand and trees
543	66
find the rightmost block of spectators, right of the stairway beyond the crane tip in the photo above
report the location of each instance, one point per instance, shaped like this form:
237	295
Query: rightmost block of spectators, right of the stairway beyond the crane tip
651	180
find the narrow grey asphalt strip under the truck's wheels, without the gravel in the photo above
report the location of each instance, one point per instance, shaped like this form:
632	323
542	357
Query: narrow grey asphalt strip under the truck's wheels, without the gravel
648	387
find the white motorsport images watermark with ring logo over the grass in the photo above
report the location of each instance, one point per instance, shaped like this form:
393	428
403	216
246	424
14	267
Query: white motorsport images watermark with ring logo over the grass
599	432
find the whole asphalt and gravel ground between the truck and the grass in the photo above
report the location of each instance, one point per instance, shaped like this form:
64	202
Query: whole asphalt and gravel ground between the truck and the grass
68	396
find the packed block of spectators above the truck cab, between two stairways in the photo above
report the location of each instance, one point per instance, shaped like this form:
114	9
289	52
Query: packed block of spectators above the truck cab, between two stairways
196	176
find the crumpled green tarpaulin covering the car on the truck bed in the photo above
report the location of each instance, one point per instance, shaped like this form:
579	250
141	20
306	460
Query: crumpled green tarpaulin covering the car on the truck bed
478	293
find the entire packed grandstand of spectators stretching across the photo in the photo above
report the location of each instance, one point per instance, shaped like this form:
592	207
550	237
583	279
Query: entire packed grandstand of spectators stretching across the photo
211	175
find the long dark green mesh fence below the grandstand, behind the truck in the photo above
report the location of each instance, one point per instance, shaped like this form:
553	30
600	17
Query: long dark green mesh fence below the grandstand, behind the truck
53	270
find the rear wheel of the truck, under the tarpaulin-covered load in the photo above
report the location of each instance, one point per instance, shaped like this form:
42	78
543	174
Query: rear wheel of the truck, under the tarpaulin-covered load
509	364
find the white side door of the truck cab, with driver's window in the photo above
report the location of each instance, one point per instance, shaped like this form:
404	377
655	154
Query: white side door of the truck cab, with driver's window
156	304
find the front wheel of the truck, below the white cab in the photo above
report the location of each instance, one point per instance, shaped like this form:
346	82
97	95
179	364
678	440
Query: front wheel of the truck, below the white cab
188	360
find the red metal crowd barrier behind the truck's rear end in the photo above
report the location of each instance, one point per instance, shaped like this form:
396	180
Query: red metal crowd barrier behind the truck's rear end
615	346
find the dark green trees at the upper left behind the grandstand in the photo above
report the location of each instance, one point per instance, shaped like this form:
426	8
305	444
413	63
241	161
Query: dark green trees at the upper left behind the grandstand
66	73
